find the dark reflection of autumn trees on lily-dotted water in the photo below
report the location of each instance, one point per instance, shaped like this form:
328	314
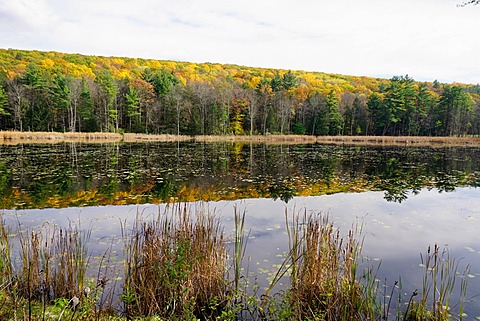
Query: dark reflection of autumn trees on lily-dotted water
45	175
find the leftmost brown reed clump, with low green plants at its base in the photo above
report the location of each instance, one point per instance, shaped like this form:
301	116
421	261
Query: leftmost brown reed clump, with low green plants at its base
43	272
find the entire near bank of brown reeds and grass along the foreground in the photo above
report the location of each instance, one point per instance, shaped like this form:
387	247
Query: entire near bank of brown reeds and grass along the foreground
181	265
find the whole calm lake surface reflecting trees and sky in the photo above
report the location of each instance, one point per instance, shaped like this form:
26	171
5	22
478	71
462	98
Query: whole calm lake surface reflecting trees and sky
407	198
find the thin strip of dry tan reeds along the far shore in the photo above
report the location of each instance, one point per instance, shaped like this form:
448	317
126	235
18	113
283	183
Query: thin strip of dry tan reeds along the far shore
15	138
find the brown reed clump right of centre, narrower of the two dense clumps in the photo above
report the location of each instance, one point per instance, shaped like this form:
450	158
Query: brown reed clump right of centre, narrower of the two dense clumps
324	280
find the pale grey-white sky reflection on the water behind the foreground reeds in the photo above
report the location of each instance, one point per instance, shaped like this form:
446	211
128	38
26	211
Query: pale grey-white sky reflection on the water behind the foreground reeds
396	233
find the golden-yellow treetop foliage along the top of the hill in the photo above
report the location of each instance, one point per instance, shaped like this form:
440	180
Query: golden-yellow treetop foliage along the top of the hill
221	75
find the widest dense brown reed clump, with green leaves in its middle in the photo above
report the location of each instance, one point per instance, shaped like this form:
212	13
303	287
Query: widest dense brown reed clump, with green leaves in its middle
175	266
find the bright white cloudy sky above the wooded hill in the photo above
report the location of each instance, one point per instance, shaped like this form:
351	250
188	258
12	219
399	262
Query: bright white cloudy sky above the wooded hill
426	39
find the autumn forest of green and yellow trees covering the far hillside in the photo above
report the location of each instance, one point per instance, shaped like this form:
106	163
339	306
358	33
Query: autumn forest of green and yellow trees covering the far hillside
52	91
